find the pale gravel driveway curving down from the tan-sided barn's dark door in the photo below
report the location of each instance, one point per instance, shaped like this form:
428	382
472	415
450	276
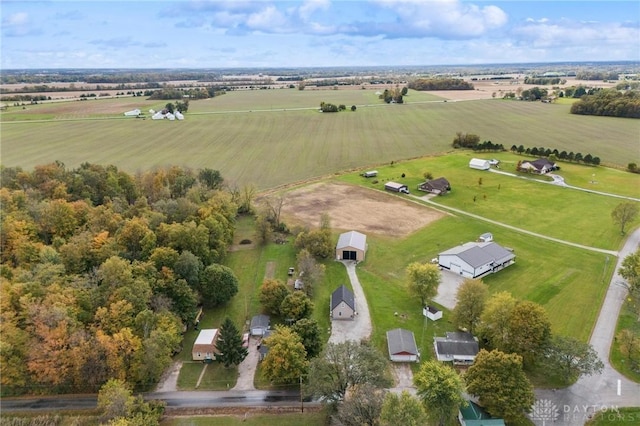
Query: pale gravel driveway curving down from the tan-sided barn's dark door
360	328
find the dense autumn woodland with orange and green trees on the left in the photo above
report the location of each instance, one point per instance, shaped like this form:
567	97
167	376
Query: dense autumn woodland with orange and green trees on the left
102	271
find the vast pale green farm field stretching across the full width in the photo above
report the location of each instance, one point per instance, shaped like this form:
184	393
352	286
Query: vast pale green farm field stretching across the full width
273	143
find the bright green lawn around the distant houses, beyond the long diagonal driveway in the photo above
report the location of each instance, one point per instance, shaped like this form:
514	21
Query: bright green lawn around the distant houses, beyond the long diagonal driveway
537	207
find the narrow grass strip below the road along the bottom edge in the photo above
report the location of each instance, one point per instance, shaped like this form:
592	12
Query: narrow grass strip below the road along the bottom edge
308	418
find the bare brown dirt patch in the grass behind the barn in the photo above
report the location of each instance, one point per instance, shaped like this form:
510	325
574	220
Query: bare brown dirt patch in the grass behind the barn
356	208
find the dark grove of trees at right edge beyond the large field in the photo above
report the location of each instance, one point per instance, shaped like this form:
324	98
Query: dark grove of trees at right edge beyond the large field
610	103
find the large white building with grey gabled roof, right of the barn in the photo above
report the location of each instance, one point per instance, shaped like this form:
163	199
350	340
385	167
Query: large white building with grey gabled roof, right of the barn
475	259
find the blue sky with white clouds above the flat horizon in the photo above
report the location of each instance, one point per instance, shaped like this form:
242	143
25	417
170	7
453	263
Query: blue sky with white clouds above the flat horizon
313	33
